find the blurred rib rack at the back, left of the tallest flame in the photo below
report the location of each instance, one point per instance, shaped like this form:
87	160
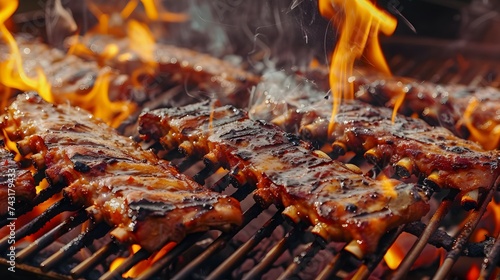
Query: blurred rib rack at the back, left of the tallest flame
218	78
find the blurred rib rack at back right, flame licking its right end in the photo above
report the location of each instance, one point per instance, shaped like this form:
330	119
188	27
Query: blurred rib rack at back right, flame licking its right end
469	112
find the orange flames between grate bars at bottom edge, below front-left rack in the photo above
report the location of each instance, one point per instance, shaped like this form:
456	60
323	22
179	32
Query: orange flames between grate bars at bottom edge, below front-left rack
143	265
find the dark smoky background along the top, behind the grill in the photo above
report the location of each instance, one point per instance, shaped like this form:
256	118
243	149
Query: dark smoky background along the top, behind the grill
273	32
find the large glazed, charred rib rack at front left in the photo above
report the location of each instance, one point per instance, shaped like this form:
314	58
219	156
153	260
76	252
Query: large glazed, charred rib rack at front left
148	201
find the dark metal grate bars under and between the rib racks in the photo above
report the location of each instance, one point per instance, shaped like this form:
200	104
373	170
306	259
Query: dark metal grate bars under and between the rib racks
436	67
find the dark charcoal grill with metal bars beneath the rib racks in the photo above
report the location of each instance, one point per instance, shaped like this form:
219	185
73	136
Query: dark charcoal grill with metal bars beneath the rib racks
216	255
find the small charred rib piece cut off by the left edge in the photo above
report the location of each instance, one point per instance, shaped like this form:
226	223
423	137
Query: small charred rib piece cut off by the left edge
16	185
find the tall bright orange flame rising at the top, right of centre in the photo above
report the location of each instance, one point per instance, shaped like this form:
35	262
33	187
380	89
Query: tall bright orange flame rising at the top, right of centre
360	22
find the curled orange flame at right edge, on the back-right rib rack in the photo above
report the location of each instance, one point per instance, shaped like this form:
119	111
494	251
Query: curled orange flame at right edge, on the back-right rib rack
488	135
